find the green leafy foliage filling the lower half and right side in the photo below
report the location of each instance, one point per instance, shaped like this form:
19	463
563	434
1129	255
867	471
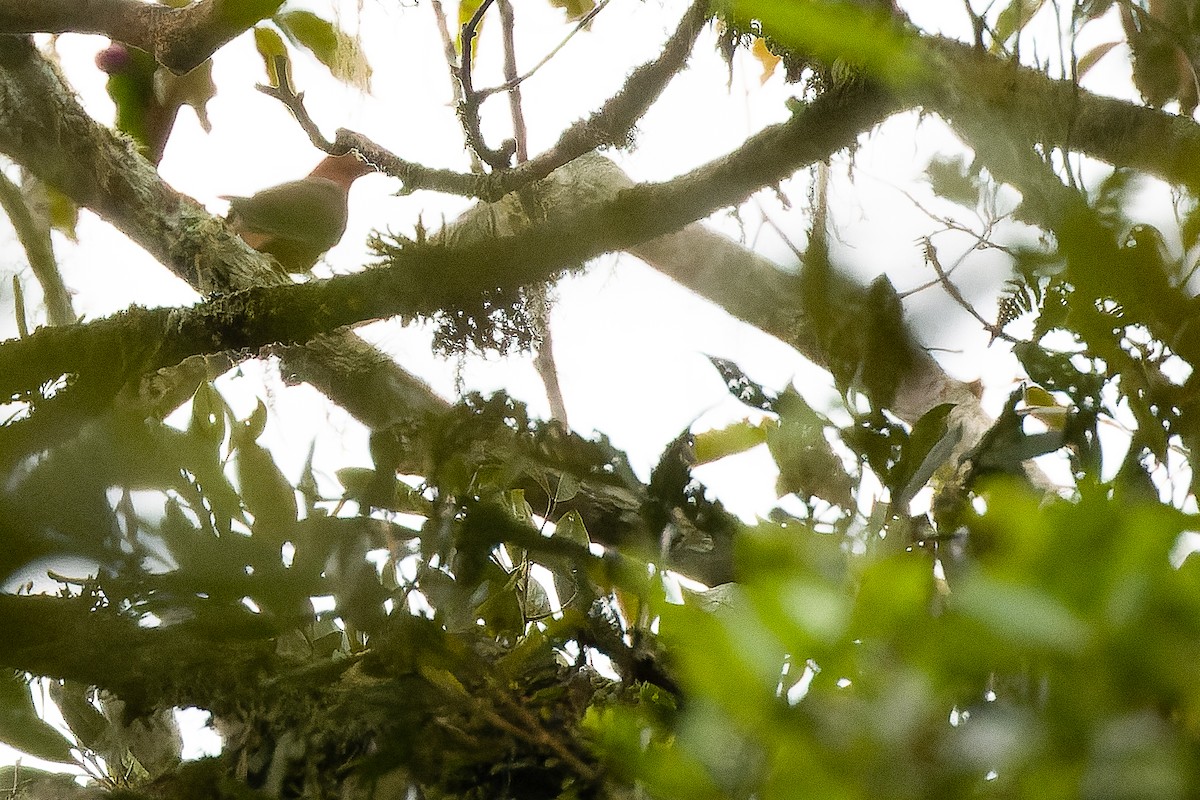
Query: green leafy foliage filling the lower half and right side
494	606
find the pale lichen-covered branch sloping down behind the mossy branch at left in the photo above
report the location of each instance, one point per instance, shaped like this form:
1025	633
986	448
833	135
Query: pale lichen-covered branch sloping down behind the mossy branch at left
44	128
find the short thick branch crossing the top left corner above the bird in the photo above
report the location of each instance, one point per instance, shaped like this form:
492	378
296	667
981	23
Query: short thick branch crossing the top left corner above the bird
178	39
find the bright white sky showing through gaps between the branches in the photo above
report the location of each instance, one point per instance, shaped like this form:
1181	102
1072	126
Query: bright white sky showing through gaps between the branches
631	346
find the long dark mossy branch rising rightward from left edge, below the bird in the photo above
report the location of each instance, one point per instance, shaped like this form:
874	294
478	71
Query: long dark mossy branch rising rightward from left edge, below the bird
422	280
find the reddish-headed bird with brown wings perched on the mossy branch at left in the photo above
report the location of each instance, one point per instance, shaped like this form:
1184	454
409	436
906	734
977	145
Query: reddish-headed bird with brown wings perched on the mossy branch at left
298	221
